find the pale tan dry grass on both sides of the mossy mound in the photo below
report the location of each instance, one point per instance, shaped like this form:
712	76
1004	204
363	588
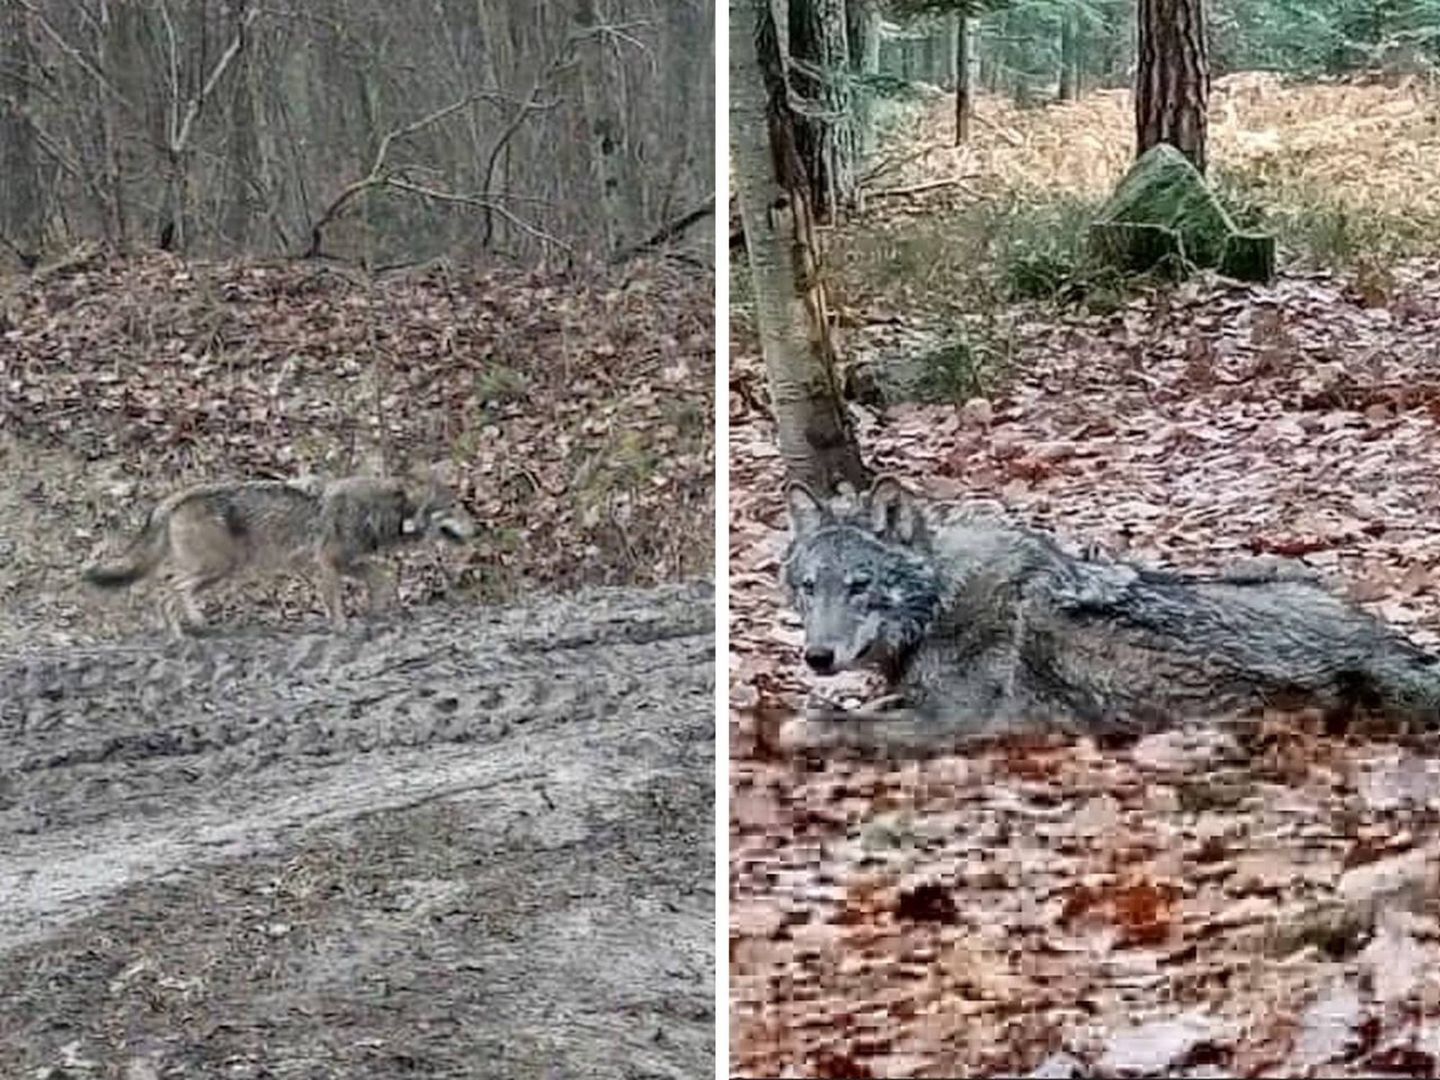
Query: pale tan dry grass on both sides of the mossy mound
1343	174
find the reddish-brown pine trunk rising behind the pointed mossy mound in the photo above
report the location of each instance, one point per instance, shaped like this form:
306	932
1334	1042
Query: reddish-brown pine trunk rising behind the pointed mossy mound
1173	78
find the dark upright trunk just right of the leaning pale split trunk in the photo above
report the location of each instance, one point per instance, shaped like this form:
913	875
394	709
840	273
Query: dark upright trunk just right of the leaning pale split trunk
827	139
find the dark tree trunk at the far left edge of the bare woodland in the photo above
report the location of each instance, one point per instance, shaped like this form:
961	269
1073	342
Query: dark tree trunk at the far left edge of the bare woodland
22	192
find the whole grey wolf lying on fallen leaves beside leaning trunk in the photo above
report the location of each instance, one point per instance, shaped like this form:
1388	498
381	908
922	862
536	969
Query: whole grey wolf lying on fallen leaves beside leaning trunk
987	627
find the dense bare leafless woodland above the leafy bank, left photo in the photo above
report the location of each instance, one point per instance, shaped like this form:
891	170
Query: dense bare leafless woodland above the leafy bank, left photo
354	127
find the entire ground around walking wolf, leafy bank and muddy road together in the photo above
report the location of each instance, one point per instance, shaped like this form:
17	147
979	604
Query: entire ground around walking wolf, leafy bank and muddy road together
470	840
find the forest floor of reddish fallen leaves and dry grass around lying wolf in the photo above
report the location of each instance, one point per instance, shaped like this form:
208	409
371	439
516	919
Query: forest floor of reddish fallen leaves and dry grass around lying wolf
1255	902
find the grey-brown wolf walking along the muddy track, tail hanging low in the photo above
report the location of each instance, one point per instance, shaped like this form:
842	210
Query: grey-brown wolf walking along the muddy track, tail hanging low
205	535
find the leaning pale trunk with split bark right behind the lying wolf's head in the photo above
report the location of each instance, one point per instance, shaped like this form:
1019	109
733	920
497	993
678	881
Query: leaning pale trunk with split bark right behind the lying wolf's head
816	440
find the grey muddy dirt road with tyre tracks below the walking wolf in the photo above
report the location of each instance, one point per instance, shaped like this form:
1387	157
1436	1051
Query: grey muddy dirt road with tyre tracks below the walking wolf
467	843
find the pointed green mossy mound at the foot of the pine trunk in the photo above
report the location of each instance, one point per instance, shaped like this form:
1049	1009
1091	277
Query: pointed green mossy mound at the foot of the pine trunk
1164	215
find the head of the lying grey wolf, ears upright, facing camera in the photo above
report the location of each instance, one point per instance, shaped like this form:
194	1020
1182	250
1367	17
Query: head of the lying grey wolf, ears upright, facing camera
862	575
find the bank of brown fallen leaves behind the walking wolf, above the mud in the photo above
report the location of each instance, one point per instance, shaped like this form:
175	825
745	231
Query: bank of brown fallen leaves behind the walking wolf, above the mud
572	413
